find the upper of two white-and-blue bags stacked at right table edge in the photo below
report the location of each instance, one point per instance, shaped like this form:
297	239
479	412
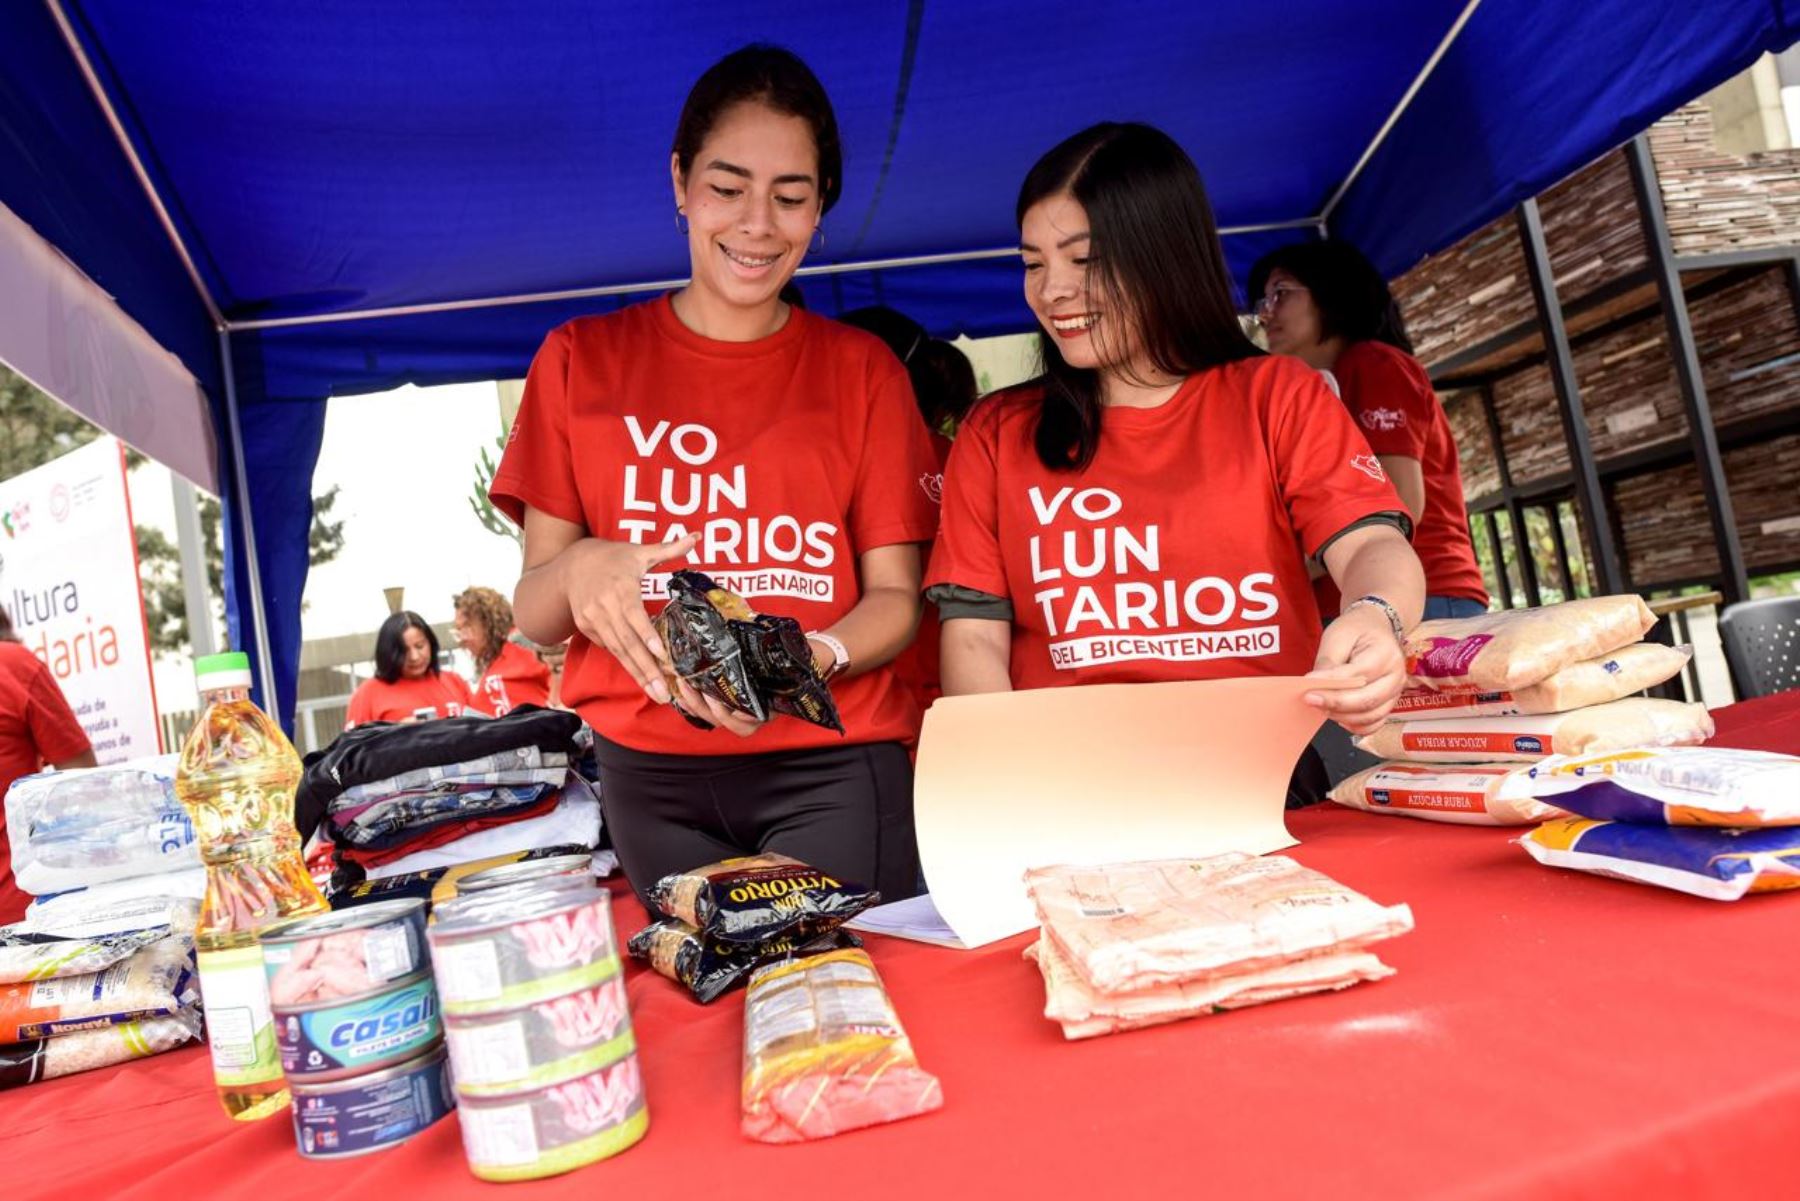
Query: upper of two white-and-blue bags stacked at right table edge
1671	786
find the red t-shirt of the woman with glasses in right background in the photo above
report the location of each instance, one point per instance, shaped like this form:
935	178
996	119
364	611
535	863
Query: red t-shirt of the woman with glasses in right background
1390	397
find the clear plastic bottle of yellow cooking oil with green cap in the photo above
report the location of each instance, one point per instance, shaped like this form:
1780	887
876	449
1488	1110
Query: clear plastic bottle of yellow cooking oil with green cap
237	781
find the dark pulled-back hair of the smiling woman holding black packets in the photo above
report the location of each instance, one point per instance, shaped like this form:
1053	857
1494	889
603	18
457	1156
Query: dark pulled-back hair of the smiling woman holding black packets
771	77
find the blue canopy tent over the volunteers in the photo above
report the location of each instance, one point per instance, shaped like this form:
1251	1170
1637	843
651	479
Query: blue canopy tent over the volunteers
343	197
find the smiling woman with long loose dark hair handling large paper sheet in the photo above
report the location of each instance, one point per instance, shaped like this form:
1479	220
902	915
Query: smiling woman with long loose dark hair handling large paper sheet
1144	510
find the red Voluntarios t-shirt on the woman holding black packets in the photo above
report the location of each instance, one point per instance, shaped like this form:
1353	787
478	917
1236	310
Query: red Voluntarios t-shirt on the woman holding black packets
791	456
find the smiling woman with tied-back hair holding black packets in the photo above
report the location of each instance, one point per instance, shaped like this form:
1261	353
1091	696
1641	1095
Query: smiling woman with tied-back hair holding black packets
728	431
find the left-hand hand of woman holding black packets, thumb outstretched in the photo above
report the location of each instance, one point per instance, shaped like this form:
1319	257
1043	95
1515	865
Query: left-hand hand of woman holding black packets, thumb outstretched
604	584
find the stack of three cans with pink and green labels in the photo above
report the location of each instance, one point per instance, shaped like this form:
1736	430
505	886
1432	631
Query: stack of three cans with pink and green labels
541	1034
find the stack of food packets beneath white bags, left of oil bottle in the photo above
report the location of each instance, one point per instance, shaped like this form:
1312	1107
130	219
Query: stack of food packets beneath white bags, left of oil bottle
80	1000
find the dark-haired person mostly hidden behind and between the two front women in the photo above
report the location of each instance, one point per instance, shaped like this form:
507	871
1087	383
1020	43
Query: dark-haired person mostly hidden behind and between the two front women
944	384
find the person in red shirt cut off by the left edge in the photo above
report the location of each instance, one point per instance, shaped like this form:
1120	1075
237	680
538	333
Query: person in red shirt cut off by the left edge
37	730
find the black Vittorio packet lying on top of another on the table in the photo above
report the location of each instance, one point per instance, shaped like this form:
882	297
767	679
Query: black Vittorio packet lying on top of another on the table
759	898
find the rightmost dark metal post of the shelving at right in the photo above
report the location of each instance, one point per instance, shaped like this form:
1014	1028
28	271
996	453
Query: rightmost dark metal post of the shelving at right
1702	435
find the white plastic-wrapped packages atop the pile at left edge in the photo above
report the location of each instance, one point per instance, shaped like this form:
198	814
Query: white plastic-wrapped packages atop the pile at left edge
105	849
